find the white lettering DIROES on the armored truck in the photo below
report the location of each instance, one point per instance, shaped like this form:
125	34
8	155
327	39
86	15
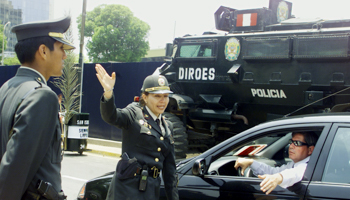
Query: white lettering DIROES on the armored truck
196	73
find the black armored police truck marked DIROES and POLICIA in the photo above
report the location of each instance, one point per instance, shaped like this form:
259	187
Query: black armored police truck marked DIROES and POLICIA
267	64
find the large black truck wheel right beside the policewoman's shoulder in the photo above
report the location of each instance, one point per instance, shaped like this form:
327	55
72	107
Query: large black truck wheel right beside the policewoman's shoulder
180	135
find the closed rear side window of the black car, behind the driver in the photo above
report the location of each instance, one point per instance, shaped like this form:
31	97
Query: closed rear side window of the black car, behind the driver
337	168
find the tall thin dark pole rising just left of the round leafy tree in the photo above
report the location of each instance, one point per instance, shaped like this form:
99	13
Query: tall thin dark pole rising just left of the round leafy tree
81	59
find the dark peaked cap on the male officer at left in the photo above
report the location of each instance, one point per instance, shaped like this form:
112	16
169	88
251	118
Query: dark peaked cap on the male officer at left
53	28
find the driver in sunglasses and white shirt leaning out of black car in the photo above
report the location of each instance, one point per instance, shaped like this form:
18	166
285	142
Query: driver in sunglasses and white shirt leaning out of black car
301	147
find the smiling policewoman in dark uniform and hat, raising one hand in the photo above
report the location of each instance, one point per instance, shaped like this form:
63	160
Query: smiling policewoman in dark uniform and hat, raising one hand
147	142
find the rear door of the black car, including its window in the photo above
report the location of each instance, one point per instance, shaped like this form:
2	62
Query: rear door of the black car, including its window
331	179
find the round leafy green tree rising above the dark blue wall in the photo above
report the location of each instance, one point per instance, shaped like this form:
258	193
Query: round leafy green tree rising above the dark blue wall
115	34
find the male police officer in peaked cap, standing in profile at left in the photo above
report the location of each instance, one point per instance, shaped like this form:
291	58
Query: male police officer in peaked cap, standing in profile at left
30	131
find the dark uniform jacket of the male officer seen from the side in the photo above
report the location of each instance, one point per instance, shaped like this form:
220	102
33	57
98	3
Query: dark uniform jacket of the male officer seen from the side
34	150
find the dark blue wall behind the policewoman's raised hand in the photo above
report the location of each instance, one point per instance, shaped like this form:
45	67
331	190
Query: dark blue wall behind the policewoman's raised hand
129	79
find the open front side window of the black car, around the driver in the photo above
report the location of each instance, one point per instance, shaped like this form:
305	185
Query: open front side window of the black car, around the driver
269	148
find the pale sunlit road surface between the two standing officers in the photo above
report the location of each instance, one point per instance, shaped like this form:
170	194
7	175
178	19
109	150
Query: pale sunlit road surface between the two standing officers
77	169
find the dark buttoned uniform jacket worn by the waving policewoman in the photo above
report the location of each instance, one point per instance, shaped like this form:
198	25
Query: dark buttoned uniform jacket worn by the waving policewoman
142	139
